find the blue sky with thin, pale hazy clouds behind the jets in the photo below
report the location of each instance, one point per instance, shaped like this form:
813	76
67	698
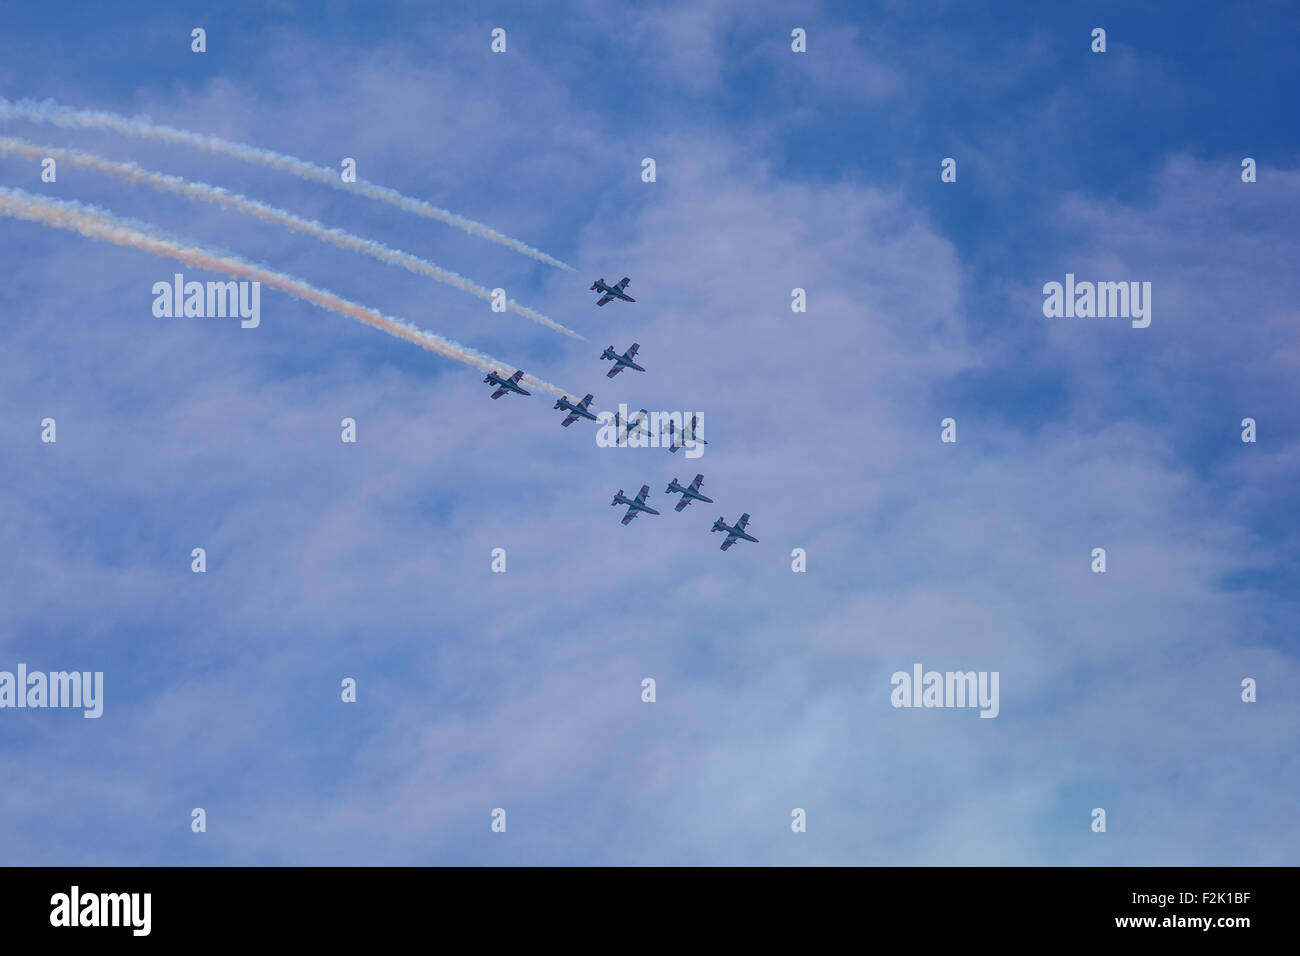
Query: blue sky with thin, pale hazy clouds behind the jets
523	690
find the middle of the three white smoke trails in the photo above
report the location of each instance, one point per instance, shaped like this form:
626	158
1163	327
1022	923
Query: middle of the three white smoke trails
132	174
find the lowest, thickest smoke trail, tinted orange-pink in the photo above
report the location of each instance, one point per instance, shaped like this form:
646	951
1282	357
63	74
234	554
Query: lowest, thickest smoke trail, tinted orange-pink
98	224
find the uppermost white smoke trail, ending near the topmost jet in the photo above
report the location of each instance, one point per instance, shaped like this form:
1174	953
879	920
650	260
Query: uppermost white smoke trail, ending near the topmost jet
49	111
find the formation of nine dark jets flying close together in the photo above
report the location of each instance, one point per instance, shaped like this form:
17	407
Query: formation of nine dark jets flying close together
583	410
